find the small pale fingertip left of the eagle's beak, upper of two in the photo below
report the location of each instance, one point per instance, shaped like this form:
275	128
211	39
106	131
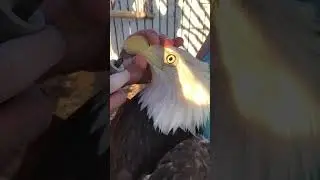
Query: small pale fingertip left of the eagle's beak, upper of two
118	80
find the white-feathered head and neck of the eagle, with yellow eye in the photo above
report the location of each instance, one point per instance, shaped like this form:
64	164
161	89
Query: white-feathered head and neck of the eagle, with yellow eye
179	93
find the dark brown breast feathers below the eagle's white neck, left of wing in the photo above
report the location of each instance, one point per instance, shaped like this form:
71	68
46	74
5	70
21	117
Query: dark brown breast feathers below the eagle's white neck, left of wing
135	145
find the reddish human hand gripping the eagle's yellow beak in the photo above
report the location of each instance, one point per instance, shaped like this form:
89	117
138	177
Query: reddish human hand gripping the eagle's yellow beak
138	67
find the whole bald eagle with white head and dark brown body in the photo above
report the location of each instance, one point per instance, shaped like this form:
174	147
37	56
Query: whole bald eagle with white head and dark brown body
164	118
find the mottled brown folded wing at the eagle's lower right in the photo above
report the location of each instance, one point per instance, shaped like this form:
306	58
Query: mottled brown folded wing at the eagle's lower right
191	159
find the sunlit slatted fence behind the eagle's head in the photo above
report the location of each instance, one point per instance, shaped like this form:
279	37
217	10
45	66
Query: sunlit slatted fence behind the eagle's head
174	18
